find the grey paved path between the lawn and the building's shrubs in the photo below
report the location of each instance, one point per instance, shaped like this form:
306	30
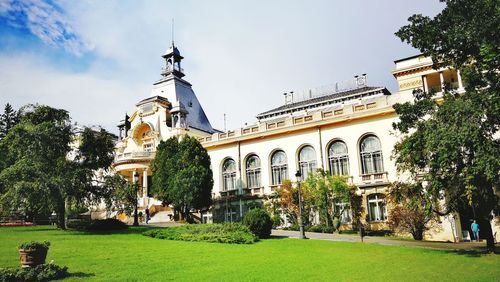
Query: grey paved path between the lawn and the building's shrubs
383	241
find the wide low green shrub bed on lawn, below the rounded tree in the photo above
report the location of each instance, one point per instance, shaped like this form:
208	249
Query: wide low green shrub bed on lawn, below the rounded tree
231	233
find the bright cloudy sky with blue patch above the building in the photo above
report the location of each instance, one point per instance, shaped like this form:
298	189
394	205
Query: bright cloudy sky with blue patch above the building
97	59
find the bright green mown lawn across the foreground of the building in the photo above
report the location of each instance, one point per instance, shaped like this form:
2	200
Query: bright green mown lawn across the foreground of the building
129	256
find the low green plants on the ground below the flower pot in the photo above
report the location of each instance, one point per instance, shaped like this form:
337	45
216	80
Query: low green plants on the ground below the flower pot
42	272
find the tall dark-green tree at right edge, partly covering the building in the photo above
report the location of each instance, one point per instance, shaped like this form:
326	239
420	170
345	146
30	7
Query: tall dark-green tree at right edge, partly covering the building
451	147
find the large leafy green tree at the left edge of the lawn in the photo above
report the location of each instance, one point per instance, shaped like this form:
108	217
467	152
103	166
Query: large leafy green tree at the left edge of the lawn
38	173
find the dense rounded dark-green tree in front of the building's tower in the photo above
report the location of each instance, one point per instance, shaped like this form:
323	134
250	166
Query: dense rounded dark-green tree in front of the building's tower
182	176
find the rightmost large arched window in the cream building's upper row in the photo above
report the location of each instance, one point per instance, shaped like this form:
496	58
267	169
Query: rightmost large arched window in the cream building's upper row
371	155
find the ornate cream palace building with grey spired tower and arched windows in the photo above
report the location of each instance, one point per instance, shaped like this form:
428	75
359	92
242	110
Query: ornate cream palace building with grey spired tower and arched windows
345	129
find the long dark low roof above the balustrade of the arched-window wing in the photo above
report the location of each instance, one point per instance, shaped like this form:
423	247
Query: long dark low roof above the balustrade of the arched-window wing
329	99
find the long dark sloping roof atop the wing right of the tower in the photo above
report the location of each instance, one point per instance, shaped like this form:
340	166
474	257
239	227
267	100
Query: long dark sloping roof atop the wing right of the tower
325	100
